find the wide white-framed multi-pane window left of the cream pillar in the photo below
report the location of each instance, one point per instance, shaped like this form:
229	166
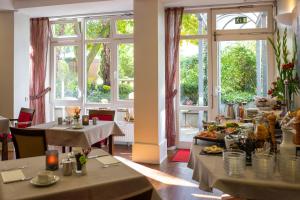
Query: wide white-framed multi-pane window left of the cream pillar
92	63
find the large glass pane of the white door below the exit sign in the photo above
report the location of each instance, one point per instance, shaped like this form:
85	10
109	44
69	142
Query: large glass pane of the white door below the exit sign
242	72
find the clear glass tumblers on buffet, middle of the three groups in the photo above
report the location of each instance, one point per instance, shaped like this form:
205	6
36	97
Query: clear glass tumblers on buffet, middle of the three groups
263	165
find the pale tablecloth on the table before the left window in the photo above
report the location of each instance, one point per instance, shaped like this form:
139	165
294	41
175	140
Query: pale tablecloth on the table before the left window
85	137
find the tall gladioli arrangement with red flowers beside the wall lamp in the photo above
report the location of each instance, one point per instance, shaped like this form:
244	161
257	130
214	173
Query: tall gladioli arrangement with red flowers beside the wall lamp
286	70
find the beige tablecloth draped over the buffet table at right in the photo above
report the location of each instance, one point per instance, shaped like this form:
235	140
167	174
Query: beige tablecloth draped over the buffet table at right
209	172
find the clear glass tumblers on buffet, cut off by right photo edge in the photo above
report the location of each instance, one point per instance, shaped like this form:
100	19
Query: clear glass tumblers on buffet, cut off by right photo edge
289	168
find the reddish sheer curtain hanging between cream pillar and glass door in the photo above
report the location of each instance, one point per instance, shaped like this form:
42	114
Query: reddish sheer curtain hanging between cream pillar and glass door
173	20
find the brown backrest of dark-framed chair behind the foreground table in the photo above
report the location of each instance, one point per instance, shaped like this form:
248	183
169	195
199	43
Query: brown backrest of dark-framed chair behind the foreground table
29	142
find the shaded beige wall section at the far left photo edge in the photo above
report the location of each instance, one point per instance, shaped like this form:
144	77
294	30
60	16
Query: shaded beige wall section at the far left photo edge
6	63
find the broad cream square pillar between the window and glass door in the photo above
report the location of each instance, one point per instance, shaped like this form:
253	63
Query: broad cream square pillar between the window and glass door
149	80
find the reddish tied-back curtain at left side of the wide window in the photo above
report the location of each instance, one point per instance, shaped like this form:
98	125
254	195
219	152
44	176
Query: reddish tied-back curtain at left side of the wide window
39	41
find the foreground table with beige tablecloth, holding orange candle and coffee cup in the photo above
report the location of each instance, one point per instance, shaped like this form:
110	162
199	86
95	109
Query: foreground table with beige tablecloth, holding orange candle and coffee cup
116	181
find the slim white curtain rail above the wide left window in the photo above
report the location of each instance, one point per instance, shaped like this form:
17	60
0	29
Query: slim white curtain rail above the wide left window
125	13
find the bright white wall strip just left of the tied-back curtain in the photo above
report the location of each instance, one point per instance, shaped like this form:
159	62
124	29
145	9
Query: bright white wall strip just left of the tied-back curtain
21	62
